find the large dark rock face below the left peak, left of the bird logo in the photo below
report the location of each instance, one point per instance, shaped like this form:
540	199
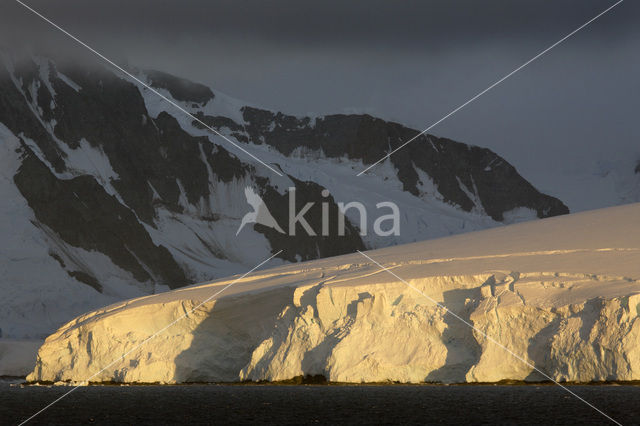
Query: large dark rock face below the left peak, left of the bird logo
146	154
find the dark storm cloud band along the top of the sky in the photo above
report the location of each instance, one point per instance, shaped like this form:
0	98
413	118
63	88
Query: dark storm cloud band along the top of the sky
401	24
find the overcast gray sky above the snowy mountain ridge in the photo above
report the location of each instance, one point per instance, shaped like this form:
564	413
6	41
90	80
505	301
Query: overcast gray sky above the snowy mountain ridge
409	61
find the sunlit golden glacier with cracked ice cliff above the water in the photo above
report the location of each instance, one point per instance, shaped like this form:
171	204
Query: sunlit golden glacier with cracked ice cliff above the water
561	295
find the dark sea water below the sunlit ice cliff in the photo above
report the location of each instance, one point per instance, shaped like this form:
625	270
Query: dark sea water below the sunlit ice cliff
317	404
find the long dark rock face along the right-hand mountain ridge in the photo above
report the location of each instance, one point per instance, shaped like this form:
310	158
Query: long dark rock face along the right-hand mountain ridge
456	168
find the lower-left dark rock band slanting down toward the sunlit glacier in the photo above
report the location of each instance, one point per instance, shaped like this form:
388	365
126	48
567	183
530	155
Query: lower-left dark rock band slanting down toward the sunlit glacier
84	215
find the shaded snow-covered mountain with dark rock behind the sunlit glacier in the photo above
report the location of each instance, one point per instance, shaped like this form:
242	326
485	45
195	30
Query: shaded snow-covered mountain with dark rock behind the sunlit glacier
109	192
